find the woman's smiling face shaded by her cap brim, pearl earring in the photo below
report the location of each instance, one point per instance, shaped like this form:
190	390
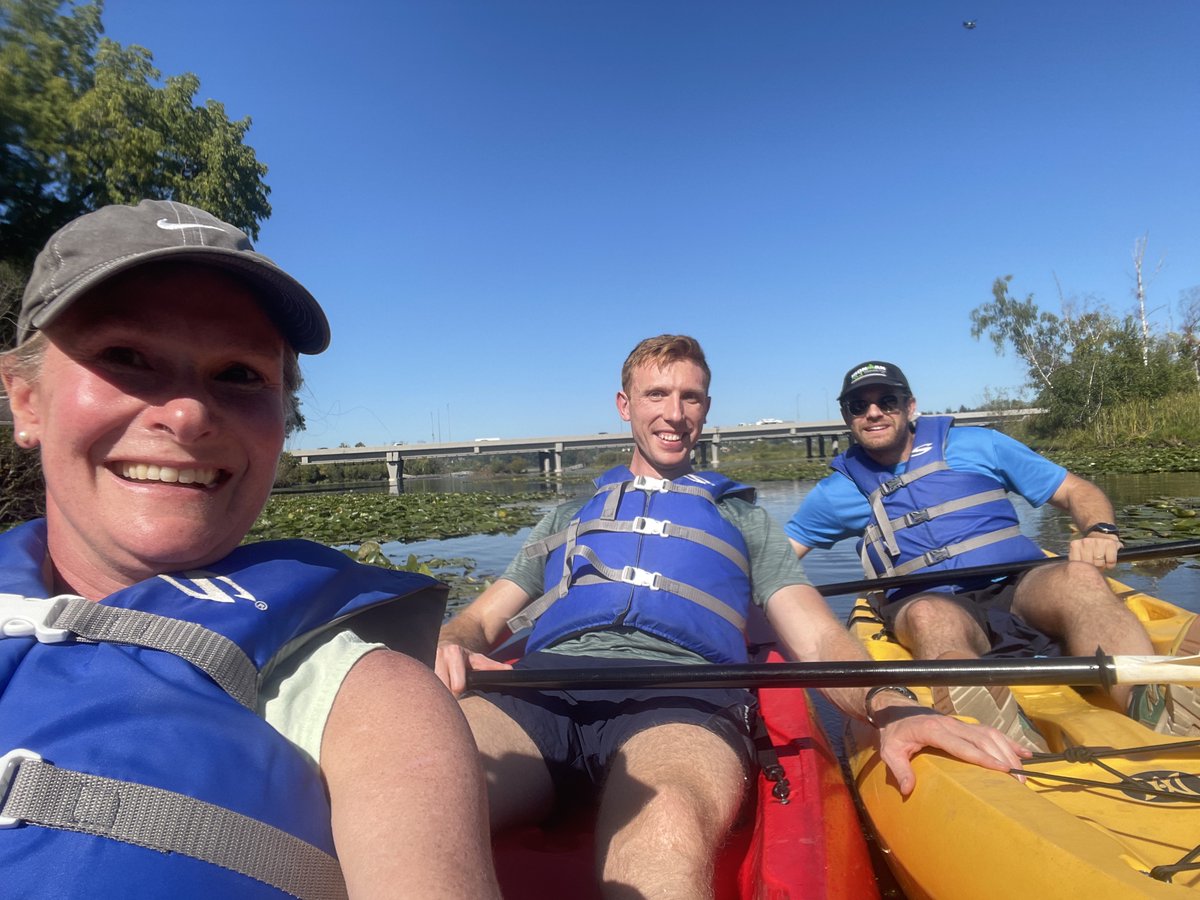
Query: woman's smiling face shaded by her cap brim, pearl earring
160	412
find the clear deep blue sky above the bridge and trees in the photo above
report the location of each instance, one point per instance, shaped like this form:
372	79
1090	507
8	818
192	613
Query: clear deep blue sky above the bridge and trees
496	200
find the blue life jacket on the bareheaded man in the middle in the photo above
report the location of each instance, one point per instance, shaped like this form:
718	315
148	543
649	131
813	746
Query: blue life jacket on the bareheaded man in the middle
651	555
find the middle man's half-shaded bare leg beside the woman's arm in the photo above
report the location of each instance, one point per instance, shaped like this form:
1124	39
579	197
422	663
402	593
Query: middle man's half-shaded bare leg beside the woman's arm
519	785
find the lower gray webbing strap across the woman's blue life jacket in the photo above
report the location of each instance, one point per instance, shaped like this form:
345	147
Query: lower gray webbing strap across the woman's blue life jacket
37	793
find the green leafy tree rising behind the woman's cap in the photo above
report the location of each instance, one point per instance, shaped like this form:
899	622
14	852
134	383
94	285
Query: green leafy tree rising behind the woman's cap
86	123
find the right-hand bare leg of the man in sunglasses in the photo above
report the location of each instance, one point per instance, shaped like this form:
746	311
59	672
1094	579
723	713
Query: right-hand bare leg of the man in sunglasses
1073	603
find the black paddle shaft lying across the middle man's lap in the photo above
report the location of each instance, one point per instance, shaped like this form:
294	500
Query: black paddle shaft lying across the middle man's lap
1065	670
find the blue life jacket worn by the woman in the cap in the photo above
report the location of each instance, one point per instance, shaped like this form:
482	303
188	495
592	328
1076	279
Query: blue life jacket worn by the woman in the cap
127	724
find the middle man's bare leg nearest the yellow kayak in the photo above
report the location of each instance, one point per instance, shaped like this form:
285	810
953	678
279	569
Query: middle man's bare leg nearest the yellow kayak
669	803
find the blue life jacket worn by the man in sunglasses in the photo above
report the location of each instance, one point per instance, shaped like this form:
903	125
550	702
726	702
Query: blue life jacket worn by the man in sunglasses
932	517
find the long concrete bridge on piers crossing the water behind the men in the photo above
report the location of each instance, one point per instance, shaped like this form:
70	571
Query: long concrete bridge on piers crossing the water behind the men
821	441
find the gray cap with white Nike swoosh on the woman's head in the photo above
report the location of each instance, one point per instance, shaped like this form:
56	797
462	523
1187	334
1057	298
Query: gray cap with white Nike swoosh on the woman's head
116	239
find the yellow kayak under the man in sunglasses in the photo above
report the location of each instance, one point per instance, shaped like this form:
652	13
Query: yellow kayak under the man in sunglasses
1106	826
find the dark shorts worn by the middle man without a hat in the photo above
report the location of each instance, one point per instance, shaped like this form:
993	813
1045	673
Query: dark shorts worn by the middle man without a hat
579	733
